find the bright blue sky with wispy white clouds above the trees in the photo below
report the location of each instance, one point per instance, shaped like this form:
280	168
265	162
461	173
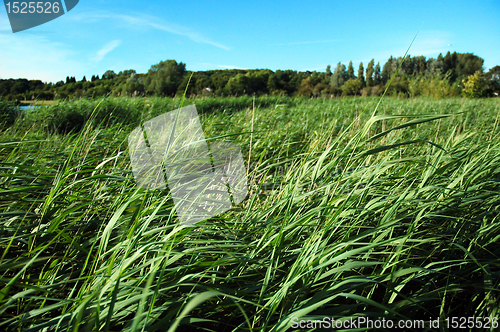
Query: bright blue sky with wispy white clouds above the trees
98	35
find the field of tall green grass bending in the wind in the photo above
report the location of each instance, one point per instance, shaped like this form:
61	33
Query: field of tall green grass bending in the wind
354	210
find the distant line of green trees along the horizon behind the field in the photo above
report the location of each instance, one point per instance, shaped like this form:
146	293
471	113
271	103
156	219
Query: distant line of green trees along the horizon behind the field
453	74
